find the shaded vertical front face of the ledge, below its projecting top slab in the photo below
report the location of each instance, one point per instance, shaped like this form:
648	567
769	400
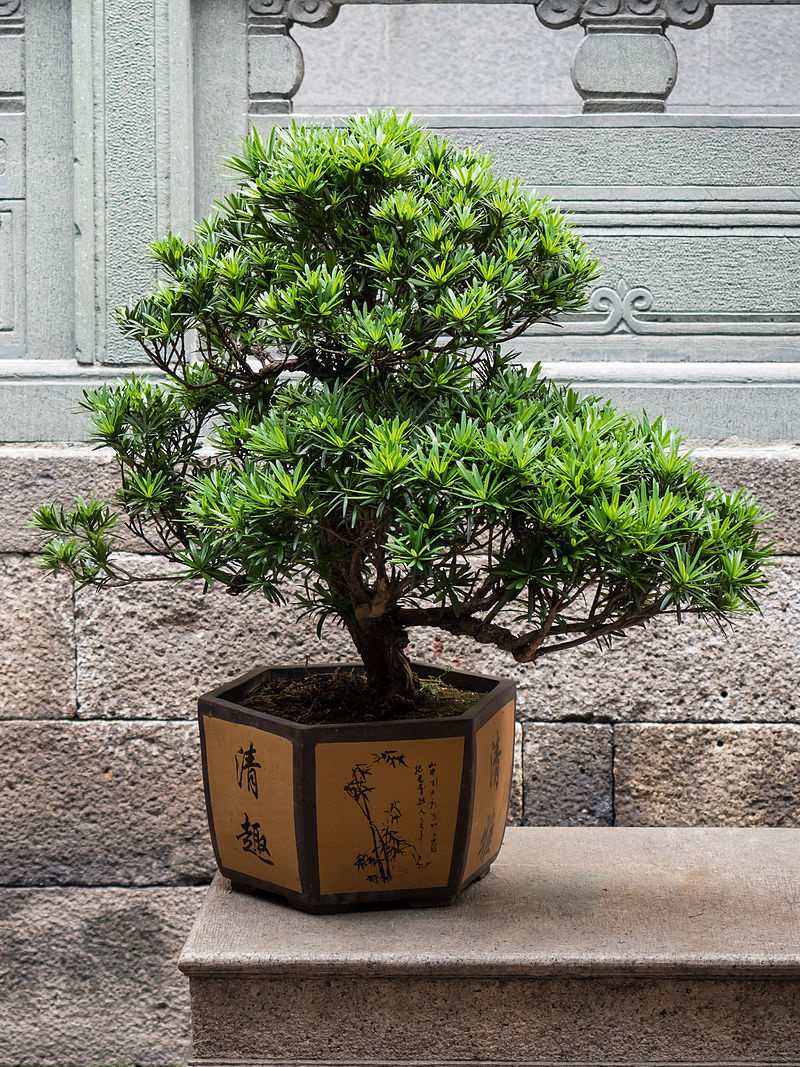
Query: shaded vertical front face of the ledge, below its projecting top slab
494	1023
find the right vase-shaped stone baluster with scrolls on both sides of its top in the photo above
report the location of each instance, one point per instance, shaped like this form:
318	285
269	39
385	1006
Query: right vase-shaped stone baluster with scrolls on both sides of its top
625	62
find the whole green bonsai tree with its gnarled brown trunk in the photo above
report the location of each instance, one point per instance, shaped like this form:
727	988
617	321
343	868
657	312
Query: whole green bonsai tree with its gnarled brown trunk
338	418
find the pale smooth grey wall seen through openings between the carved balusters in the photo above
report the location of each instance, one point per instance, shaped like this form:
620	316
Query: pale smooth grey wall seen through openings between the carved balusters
446	58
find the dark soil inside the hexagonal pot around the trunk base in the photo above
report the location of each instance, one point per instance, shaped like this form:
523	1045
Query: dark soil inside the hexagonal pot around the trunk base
345	697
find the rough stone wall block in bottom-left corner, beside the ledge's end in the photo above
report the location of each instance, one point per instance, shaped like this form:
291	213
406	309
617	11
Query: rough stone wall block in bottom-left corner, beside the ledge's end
89	976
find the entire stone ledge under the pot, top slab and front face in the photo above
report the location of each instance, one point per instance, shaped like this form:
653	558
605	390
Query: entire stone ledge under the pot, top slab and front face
583	946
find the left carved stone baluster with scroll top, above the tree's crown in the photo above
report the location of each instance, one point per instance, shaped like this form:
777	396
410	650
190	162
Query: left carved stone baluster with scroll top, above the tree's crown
275	61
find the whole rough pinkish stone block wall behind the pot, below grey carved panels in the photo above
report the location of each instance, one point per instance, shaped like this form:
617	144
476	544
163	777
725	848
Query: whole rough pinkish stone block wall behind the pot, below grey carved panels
105	851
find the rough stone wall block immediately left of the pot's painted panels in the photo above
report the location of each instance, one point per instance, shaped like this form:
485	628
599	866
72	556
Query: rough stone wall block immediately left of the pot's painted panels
117	804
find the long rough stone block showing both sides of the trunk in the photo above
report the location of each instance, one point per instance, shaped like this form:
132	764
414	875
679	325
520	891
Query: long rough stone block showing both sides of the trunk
187	644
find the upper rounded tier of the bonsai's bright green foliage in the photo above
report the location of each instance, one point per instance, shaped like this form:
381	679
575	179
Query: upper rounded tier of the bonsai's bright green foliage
372	246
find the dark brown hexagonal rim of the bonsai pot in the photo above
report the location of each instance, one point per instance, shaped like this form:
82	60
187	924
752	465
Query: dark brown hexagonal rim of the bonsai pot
490	691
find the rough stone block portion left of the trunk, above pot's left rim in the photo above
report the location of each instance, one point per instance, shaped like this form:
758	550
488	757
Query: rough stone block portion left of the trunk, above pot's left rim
149	651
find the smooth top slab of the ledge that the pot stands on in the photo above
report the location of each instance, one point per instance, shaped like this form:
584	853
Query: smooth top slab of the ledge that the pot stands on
559	902
